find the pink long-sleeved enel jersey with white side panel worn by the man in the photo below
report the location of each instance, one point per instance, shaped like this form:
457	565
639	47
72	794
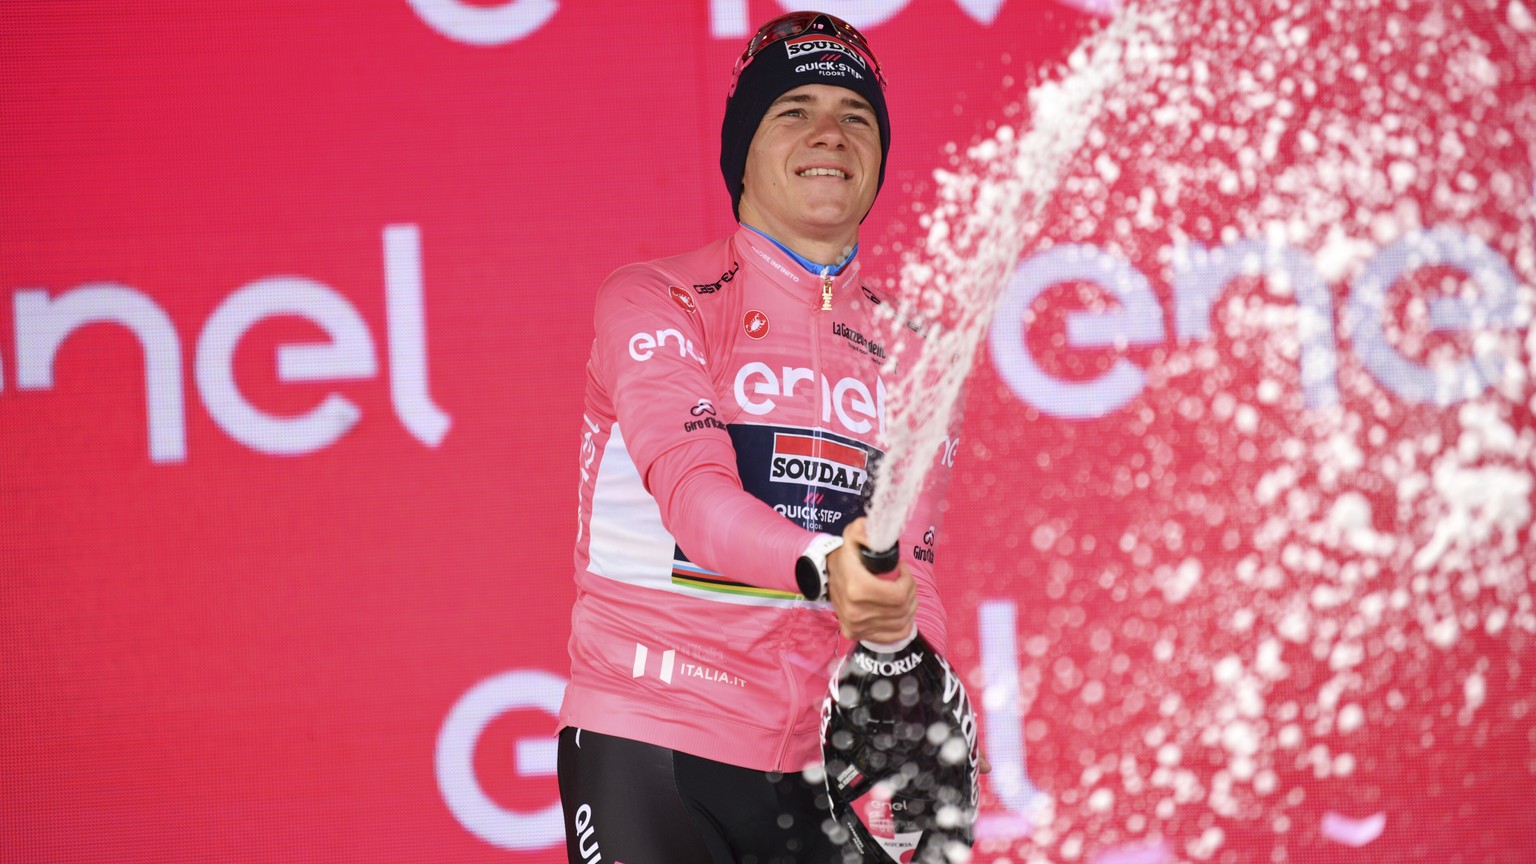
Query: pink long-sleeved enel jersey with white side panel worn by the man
729	417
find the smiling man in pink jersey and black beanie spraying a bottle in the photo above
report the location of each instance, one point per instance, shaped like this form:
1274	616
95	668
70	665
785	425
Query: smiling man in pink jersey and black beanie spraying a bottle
733	416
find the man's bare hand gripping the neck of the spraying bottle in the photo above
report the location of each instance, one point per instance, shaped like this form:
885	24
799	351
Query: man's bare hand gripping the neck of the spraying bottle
872	608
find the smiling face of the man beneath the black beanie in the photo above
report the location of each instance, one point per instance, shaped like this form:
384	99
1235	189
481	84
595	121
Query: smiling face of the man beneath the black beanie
813	170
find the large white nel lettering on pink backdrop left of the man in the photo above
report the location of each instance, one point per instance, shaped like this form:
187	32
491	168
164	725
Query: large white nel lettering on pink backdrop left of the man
44	324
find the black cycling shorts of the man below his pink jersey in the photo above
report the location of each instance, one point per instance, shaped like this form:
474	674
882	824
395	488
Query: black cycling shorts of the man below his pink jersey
637	803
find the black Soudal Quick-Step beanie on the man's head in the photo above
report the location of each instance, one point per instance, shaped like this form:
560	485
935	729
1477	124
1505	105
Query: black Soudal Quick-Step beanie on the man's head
815	58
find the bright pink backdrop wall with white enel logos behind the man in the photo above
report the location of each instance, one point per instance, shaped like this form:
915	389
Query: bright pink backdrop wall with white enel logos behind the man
266	602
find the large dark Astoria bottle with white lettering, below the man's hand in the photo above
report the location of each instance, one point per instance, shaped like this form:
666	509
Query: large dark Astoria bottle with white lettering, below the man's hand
898	723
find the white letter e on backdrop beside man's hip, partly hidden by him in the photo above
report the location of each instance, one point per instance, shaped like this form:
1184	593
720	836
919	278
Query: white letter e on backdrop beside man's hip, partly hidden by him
535	757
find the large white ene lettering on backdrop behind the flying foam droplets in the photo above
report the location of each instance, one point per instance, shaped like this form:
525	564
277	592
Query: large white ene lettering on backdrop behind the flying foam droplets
1199	279
